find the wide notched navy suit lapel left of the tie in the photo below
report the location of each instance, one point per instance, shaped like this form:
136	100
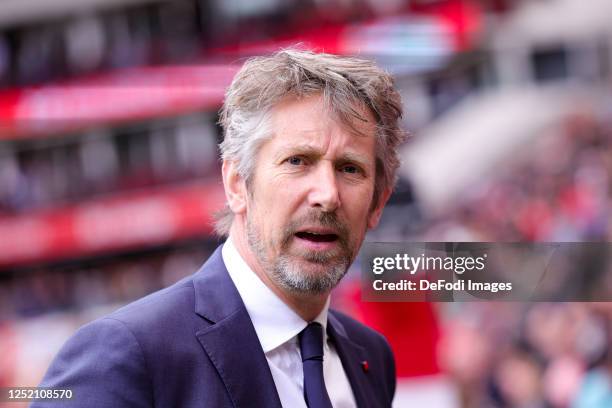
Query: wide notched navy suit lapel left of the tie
230	340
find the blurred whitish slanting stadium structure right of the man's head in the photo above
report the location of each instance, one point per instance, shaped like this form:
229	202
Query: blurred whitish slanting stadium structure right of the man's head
463	147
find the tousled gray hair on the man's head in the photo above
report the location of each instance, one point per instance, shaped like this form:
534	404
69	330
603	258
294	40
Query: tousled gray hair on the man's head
346	84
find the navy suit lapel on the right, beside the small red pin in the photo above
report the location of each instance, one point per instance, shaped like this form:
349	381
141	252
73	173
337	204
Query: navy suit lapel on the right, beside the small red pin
351	355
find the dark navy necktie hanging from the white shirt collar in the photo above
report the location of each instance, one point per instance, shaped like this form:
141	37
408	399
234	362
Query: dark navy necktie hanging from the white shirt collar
311	347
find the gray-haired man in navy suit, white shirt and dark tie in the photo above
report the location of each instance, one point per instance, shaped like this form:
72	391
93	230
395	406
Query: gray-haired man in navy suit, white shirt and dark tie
309	161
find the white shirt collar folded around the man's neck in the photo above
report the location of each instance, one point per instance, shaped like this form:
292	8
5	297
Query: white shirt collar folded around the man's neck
275	323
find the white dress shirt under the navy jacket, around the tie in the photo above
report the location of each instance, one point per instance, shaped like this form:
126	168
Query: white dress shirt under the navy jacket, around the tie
277	327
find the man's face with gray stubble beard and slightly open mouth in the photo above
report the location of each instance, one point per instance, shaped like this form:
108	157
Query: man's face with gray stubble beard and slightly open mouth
309	202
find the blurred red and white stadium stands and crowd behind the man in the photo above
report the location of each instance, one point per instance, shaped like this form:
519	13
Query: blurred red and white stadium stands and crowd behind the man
109	171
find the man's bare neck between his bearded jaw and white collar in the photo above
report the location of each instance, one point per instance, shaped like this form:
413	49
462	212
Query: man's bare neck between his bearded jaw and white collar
307	306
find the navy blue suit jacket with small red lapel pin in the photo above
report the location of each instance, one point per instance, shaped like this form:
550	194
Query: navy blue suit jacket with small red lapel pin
193	345
